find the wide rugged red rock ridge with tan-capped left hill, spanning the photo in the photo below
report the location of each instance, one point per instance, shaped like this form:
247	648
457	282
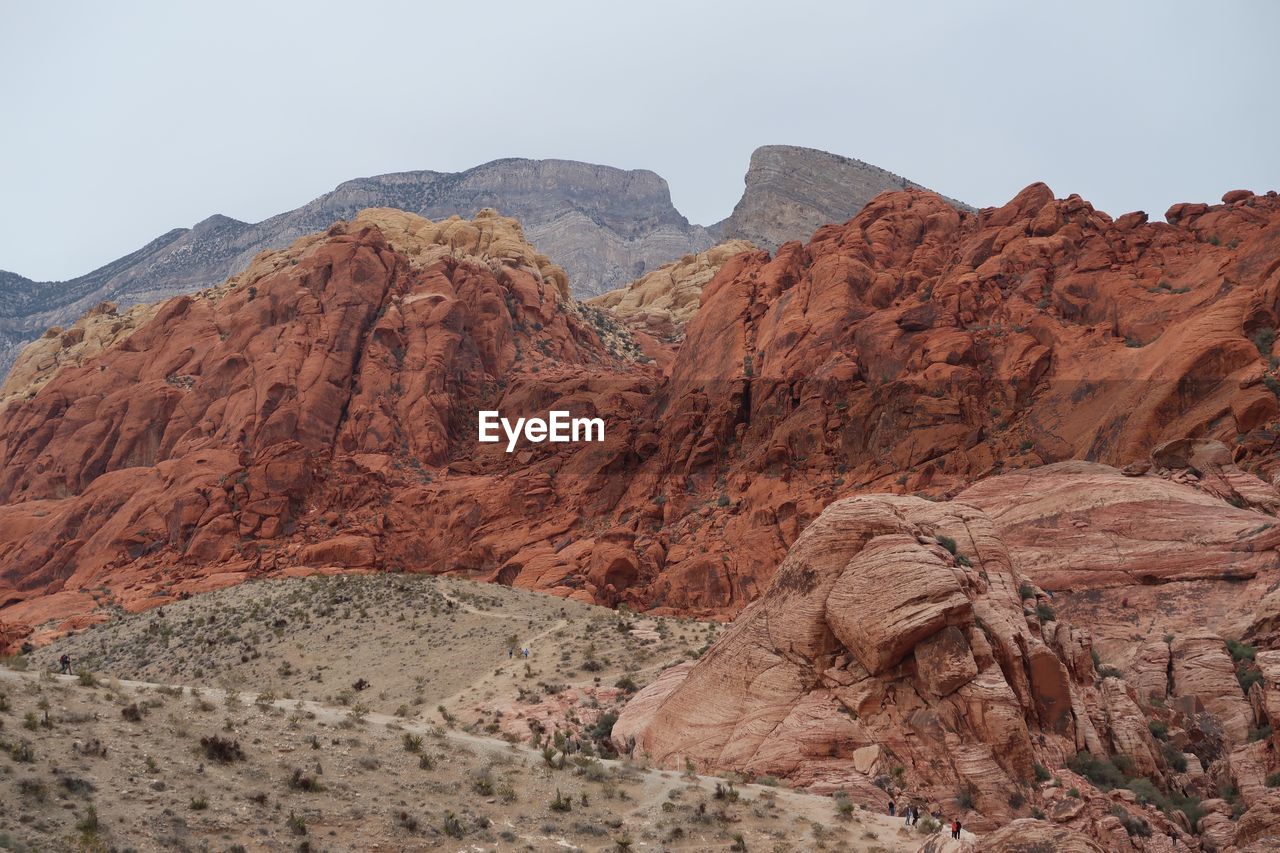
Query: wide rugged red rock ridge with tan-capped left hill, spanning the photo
319	410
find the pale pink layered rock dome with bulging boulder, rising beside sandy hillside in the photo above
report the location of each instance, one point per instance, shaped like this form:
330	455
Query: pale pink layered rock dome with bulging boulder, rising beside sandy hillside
874	647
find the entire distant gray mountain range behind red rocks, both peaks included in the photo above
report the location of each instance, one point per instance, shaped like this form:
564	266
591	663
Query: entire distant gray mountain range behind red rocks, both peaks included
605	226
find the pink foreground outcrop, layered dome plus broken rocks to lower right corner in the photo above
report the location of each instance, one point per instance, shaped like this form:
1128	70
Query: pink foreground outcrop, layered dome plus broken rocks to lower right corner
902	654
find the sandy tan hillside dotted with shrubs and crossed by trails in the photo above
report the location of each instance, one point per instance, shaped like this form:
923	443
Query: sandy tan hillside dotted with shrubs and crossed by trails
98	761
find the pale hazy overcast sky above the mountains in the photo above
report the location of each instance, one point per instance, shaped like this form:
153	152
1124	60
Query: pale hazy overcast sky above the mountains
125	120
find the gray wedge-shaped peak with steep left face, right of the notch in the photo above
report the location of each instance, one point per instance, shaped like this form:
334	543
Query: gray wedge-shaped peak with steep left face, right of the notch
793	191
